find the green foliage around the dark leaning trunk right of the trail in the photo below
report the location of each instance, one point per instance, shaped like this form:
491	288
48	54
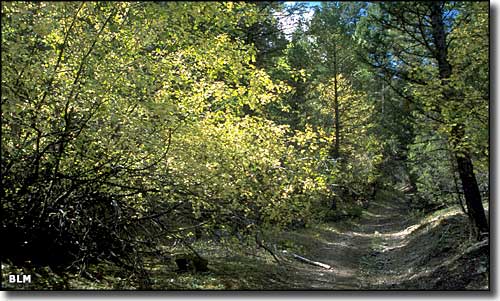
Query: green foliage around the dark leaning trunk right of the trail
437	103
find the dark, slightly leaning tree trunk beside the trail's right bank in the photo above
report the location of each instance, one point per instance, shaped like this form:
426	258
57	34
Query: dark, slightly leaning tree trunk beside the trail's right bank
464	162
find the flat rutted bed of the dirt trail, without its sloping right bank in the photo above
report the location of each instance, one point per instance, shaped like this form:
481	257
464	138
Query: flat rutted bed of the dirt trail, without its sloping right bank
383	226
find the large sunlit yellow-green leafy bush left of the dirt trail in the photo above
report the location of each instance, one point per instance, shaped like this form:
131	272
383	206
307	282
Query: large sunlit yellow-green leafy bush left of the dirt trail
109	120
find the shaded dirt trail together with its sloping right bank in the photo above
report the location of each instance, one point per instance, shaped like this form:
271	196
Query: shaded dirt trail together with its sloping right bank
388	248
